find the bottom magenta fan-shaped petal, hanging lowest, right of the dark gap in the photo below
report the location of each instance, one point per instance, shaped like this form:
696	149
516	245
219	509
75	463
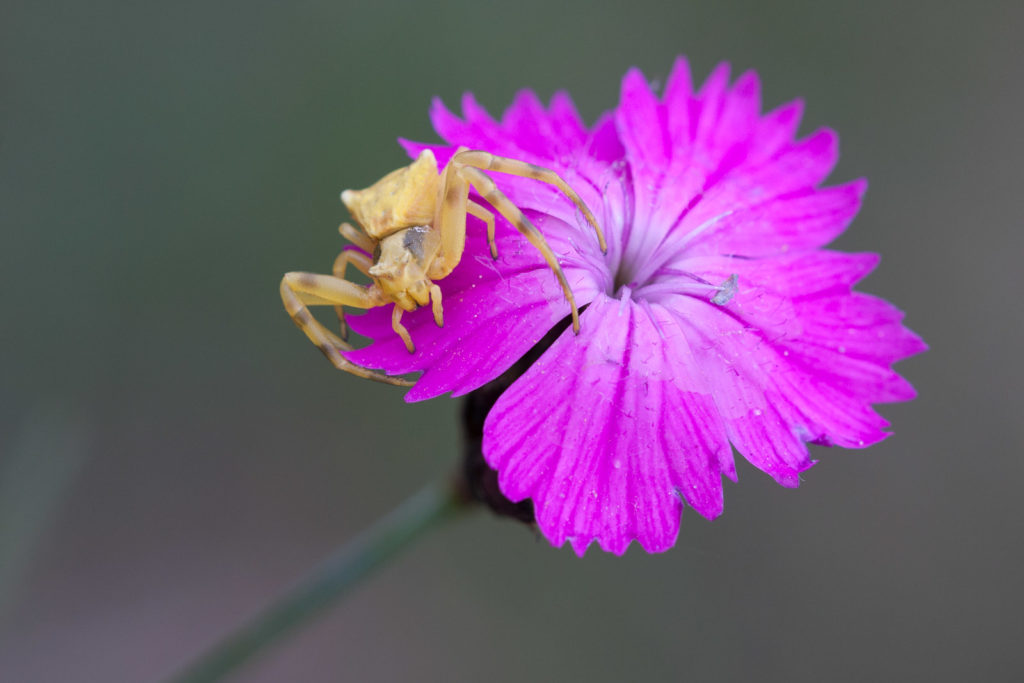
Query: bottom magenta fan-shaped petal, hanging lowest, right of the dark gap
610	431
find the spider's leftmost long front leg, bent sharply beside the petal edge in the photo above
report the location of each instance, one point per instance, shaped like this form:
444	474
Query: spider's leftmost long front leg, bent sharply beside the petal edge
300	290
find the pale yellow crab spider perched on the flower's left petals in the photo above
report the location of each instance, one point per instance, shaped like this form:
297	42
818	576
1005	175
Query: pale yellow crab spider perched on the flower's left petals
414	224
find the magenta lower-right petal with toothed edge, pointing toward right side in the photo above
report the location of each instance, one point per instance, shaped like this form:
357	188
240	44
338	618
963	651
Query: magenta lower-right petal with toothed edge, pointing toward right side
773	389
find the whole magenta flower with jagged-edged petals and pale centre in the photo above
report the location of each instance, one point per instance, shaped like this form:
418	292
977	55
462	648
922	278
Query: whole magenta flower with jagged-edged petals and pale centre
715	318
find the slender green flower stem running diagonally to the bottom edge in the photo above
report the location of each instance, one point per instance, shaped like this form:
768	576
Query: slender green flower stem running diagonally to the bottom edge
327	584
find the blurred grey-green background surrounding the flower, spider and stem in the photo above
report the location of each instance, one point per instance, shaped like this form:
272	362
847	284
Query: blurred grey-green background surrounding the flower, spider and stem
174	452
